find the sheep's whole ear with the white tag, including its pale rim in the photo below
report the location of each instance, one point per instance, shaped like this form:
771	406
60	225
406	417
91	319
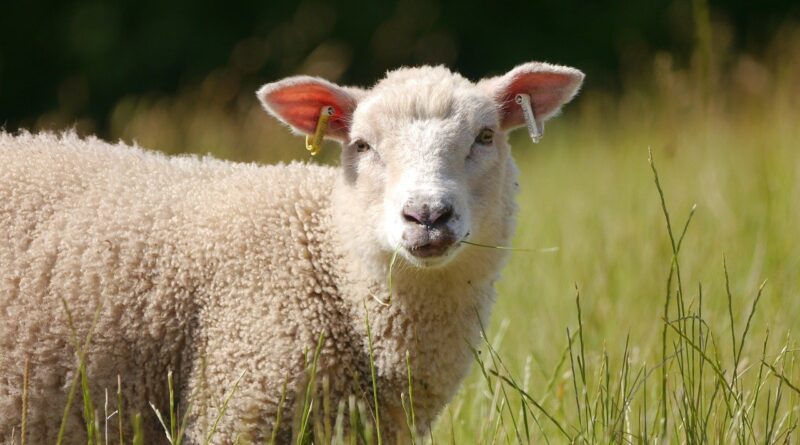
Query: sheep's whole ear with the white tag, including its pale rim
549	87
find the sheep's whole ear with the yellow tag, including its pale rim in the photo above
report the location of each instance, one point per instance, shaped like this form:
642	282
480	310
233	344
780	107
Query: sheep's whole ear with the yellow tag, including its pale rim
297	102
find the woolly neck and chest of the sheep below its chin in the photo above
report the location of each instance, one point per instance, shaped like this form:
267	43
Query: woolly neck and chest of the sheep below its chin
430	316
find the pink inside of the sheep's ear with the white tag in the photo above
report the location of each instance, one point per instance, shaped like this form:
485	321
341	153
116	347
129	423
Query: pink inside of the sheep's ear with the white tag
548	91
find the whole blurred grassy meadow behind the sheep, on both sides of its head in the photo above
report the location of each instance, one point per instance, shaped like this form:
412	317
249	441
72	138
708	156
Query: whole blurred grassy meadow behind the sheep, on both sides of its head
659	301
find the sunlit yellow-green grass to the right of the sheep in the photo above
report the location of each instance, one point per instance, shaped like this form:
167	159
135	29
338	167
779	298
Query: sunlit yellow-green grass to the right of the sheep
590	191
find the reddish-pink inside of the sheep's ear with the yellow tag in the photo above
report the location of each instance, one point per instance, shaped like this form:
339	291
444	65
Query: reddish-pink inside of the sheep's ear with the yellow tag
299	105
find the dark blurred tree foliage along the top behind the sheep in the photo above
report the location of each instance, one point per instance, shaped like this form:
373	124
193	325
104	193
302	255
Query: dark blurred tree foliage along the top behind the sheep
79	58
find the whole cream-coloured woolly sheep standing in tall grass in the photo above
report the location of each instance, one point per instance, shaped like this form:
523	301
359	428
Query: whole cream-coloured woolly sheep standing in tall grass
224	272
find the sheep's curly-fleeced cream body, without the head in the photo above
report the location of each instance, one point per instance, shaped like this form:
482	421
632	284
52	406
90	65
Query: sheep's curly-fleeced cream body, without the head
210	269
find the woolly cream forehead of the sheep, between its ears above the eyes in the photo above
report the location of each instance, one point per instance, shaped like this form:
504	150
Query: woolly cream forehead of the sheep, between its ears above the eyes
426	93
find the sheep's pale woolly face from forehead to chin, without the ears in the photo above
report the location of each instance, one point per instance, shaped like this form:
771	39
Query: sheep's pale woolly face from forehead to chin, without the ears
428	144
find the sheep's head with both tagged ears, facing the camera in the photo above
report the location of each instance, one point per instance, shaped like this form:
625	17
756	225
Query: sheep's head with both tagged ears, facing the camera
425	151
